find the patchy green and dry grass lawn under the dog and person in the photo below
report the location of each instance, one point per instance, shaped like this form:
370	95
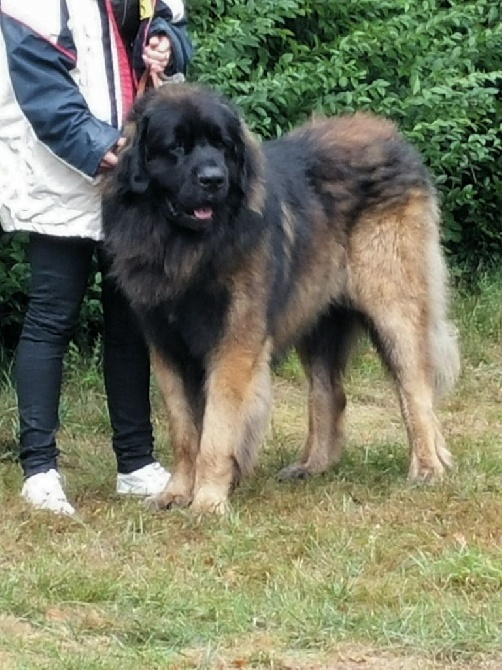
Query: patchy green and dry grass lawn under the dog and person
353	570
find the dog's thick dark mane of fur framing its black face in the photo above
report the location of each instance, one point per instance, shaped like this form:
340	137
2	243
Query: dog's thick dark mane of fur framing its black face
167	257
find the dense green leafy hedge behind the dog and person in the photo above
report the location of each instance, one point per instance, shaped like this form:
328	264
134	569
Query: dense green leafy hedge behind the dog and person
434	66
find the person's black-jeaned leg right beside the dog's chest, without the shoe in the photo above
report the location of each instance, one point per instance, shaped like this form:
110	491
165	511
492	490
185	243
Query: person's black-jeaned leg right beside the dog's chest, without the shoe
127	378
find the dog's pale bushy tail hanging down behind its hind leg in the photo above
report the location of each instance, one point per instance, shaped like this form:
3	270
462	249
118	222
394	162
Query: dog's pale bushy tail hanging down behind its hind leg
443	335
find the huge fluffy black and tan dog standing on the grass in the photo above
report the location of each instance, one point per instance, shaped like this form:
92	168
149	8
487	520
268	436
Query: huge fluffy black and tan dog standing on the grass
231	251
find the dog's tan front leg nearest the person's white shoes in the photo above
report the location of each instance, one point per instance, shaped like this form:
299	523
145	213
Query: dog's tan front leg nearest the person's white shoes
184	409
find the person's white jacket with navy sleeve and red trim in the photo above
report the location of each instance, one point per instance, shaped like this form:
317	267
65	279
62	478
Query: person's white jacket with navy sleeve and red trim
59	63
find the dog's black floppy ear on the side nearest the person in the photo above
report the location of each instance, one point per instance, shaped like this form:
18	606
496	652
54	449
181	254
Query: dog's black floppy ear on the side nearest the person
132	173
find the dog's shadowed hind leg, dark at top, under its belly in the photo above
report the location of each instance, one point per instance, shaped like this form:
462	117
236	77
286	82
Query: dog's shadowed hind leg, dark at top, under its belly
324	354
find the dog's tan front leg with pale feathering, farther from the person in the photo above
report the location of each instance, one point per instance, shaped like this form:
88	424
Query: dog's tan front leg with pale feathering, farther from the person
235	420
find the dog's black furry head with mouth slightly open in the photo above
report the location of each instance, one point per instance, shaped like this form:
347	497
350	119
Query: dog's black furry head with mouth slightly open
189	150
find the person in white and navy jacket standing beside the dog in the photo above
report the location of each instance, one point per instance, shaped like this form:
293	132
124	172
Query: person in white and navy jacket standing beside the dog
69	70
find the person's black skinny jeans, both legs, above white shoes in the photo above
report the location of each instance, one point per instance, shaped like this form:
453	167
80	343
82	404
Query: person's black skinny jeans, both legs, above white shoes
60	269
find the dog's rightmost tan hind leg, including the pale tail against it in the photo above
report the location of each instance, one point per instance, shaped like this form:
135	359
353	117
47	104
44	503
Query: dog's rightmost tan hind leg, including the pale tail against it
398	281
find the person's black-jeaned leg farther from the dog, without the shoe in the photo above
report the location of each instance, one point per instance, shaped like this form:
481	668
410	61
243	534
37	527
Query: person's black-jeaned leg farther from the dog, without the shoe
59	273
